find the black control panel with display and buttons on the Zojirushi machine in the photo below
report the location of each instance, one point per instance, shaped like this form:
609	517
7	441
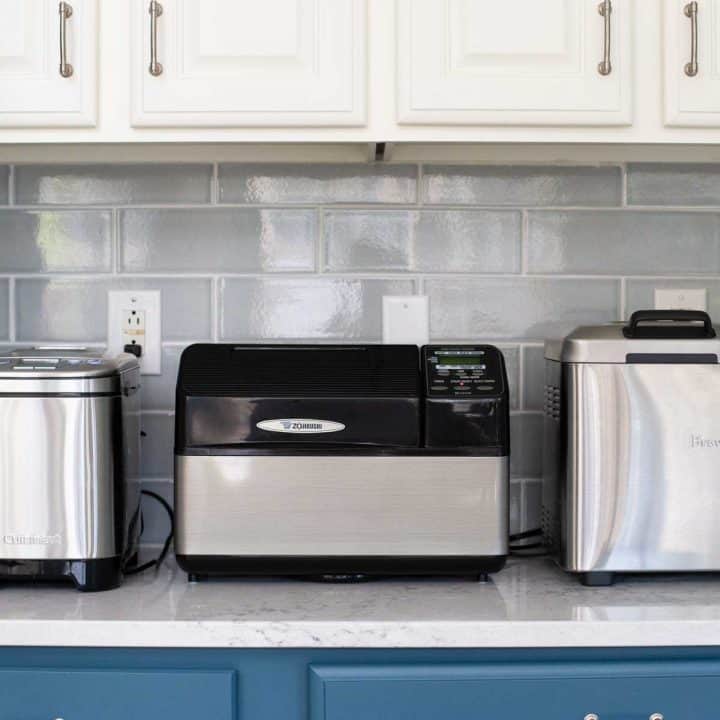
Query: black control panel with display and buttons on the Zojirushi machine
462	371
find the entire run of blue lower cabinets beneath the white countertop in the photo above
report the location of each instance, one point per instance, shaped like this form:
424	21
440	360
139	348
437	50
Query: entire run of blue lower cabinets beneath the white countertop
356	684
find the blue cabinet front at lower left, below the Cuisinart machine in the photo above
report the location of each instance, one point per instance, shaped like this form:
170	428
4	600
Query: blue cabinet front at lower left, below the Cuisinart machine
116	694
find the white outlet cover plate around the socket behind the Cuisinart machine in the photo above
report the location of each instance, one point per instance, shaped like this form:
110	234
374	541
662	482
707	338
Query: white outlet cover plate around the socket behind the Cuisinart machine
119	302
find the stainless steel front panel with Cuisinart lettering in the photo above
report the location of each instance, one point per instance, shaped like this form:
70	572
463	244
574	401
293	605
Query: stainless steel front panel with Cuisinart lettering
58	475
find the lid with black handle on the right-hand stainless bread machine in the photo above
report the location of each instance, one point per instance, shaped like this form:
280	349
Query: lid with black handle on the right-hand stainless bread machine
650	336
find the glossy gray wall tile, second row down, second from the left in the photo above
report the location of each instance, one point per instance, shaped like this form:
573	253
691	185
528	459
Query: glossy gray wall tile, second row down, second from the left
218	240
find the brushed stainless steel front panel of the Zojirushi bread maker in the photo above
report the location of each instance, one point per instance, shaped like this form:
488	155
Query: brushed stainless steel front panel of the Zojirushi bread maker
341	505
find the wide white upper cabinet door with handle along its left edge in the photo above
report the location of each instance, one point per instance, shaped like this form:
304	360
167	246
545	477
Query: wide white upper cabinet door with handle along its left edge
226	63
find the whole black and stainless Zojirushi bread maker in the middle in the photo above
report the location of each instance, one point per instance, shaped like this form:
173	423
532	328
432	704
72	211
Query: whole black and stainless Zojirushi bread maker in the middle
341	460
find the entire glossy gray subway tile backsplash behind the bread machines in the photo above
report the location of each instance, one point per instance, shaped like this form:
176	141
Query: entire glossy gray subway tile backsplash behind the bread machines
513	256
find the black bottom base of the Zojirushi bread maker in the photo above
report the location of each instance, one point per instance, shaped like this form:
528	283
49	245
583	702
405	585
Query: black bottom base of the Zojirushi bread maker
339	568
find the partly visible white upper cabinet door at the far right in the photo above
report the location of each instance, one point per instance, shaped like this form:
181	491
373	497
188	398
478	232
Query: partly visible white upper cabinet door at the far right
692	63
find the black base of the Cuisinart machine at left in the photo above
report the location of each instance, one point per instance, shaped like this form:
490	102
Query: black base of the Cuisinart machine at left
87	575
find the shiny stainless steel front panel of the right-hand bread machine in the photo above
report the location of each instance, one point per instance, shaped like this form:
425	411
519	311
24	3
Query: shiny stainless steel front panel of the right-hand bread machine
642	477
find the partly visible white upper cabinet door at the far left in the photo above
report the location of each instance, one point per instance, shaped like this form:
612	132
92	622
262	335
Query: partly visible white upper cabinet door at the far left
48	63
